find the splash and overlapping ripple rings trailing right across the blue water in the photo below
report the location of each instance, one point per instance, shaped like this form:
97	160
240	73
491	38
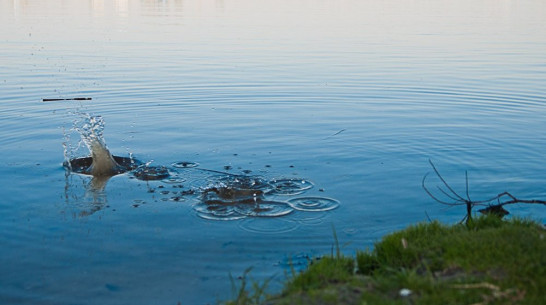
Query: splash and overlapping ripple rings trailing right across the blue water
219	195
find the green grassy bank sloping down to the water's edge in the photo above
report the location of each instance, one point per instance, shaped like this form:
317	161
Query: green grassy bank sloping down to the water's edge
490	261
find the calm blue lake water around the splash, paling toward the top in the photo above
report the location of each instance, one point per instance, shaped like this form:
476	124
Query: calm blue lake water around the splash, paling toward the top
352	96
